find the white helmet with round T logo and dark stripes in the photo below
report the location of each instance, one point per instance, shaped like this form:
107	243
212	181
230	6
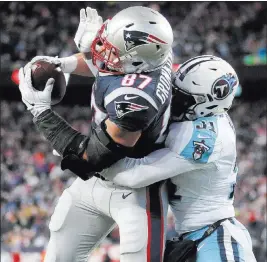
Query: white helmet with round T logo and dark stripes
203	86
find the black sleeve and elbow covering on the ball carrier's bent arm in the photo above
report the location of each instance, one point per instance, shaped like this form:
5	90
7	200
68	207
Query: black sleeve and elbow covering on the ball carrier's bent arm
101	150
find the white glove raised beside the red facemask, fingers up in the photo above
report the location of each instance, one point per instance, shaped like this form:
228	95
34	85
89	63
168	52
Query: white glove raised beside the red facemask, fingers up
90	23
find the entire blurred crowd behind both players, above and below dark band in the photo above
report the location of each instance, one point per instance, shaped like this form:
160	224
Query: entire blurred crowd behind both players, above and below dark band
31	179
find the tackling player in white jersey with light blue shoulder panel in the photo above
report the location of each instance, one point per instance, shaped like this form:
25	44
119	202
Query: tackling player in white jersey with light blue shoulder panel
200	161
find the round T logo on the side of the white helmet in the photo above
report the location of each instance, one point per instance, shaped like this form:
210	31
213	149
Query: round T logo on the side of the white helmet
223	86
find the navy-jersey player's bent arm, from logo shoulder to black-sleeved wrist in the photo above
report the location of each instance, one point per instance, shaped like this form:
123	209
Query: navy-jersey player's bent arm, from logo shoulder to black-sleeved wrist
110	142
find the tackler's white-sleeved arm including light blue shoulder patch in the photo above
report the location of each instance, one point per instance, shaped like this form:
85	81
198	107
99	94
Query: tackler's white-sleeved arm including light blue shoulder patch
185	153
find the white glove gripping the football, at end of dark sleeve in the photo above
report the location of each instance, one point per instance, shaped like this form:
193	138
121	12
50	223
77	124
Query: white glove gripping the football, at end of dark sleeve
36	101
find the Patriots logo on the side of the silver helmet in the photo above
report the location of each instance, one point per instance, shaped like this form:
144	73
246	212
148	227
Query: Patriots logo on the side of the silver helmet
136	38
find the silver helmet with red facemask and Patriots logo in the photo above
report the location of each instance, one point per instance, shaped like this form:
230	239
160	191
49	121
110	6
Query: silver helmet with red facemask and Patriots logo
136	39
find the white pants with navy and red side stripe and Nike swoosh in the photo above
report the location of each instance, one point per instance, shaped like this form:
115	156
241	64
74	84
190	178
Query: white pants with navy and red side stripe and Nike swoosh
88	210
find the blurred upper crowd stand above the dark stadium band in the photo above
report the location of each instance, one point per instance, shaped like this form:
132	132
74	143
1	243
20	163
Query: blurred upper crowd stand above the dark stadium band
232	30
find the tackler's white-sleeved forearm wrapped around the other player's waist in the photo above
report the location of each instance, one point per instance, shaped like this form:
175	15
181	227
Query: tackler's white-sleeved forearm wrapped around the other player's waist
159	165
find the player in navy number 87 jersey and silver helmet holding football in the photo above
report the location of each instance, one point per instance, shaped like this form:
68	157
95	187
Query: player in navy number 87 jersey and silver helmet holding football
131	59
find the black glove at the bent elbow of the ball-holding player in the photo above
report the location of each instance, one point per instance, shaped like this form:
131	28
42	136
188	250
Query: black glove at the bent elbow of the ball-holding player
78	166
